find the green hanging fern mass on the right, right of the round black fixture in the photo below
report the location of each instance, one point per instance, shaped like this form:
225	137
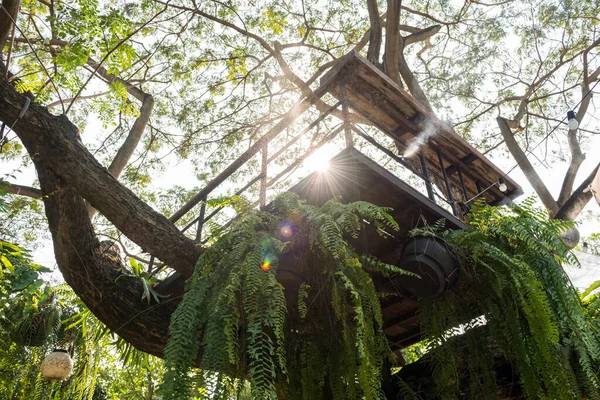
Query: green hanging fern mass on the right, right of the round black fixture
533	315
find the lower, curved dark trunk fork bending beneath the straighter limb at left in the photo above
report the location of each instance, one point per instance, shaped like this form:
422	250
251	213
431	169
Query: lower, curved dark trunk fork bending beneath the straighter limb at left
97	278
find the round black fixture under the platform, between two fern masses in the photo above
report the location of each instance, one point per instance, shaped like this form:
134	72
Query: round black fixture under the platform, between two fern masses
430	258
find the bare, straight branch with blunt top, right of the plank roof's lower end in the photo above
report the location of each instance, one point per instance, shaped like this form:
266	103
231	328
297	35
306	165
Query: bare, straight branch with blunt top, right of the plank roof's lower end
528	169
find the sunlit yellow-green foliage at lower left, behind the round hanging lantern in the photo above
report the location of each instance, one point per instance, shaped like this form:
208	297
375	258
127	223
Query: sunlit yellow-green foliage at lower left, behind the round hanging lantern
36	317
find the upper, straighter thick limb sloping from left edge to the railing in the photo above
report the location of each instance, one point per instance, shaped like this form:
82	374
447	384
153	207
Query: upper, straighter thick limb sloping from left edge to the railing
56	140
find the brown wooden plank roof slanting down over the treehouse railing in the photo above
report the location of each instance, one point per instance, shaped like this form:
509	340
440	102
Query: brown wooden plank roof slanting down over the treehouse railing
377	99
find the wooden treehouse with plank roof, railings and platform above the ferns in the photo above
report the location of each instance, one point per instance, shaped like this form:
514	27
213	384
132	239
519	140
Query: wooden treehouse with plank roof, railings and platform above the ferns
446	175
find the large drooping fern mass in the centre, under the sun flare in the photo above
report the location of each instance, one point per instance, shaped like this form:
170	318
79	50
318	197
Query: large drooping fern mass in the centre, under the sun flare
235	313
